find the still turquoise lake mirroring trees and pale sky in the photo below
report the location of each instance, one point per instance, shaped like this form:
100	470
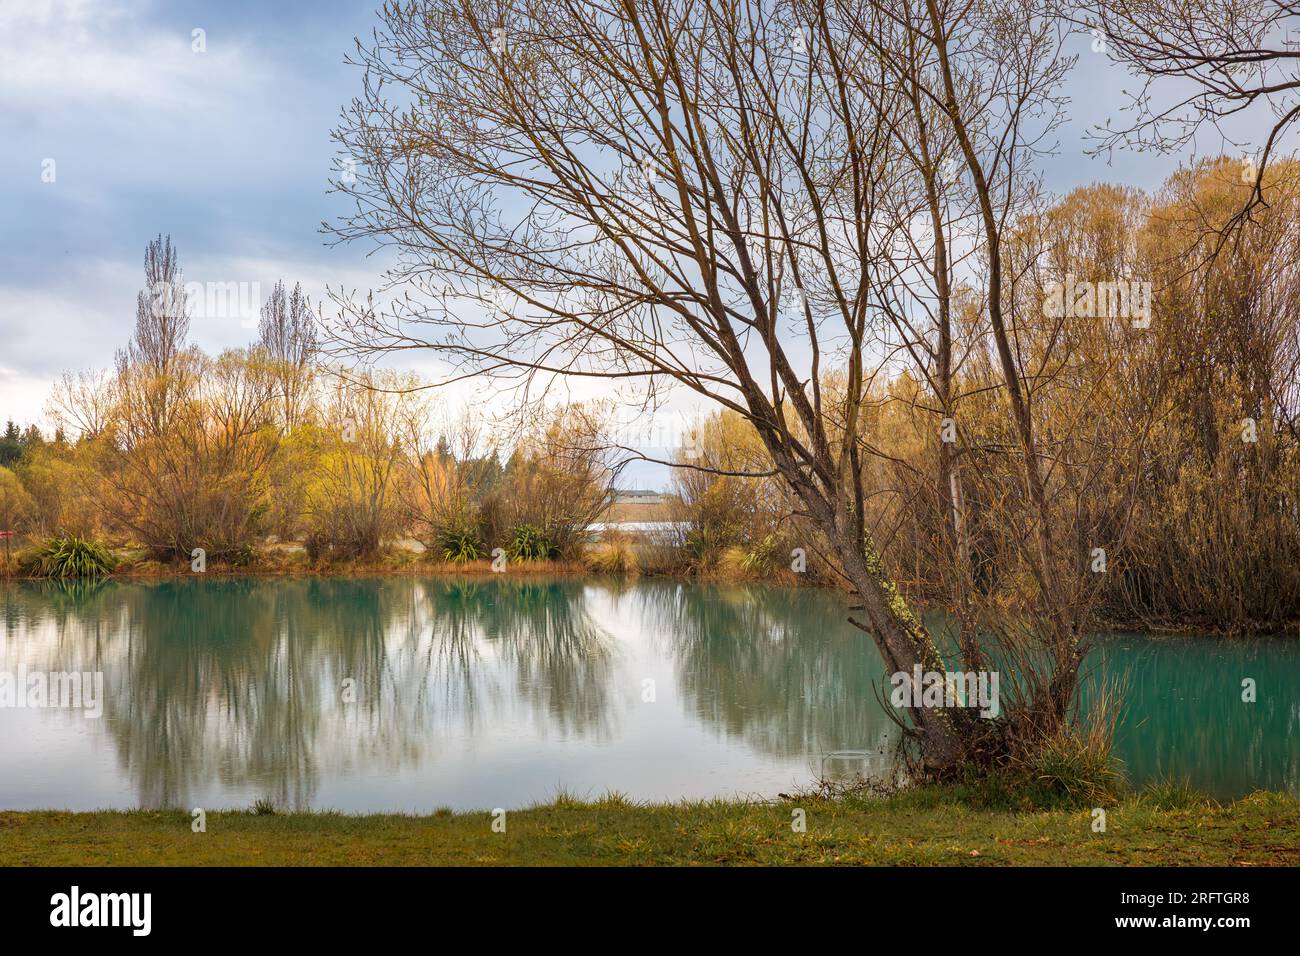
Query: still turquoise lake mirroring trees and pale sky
411	694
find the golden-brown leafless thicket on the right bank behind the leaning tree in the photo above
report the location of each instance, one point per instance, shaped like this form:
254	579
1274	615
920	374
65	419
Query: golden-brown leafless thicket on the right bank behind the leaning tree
1176	451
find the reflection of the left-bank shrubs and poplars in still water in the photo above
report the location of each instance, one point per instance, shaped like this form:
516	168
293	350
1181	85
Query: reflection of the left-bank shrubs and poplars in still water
242	681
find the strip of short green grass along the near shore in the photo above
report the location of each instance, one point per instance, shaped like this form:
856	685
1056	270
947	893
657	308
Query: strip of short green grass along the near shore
922	828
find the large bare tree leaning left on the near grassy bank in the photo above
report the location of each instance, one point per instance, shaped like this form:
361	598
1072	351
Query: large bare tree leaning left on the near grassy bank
675	194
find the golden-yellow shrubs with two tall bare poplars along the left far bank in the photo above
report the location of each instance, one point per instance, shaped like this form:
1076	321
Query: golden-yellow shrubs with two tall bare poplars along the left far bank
245	458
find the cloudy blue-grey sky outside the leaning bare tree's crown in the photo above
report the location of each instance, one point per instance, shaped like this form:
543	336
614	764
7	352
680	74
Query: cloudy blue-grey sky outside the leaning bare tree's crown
228	152
